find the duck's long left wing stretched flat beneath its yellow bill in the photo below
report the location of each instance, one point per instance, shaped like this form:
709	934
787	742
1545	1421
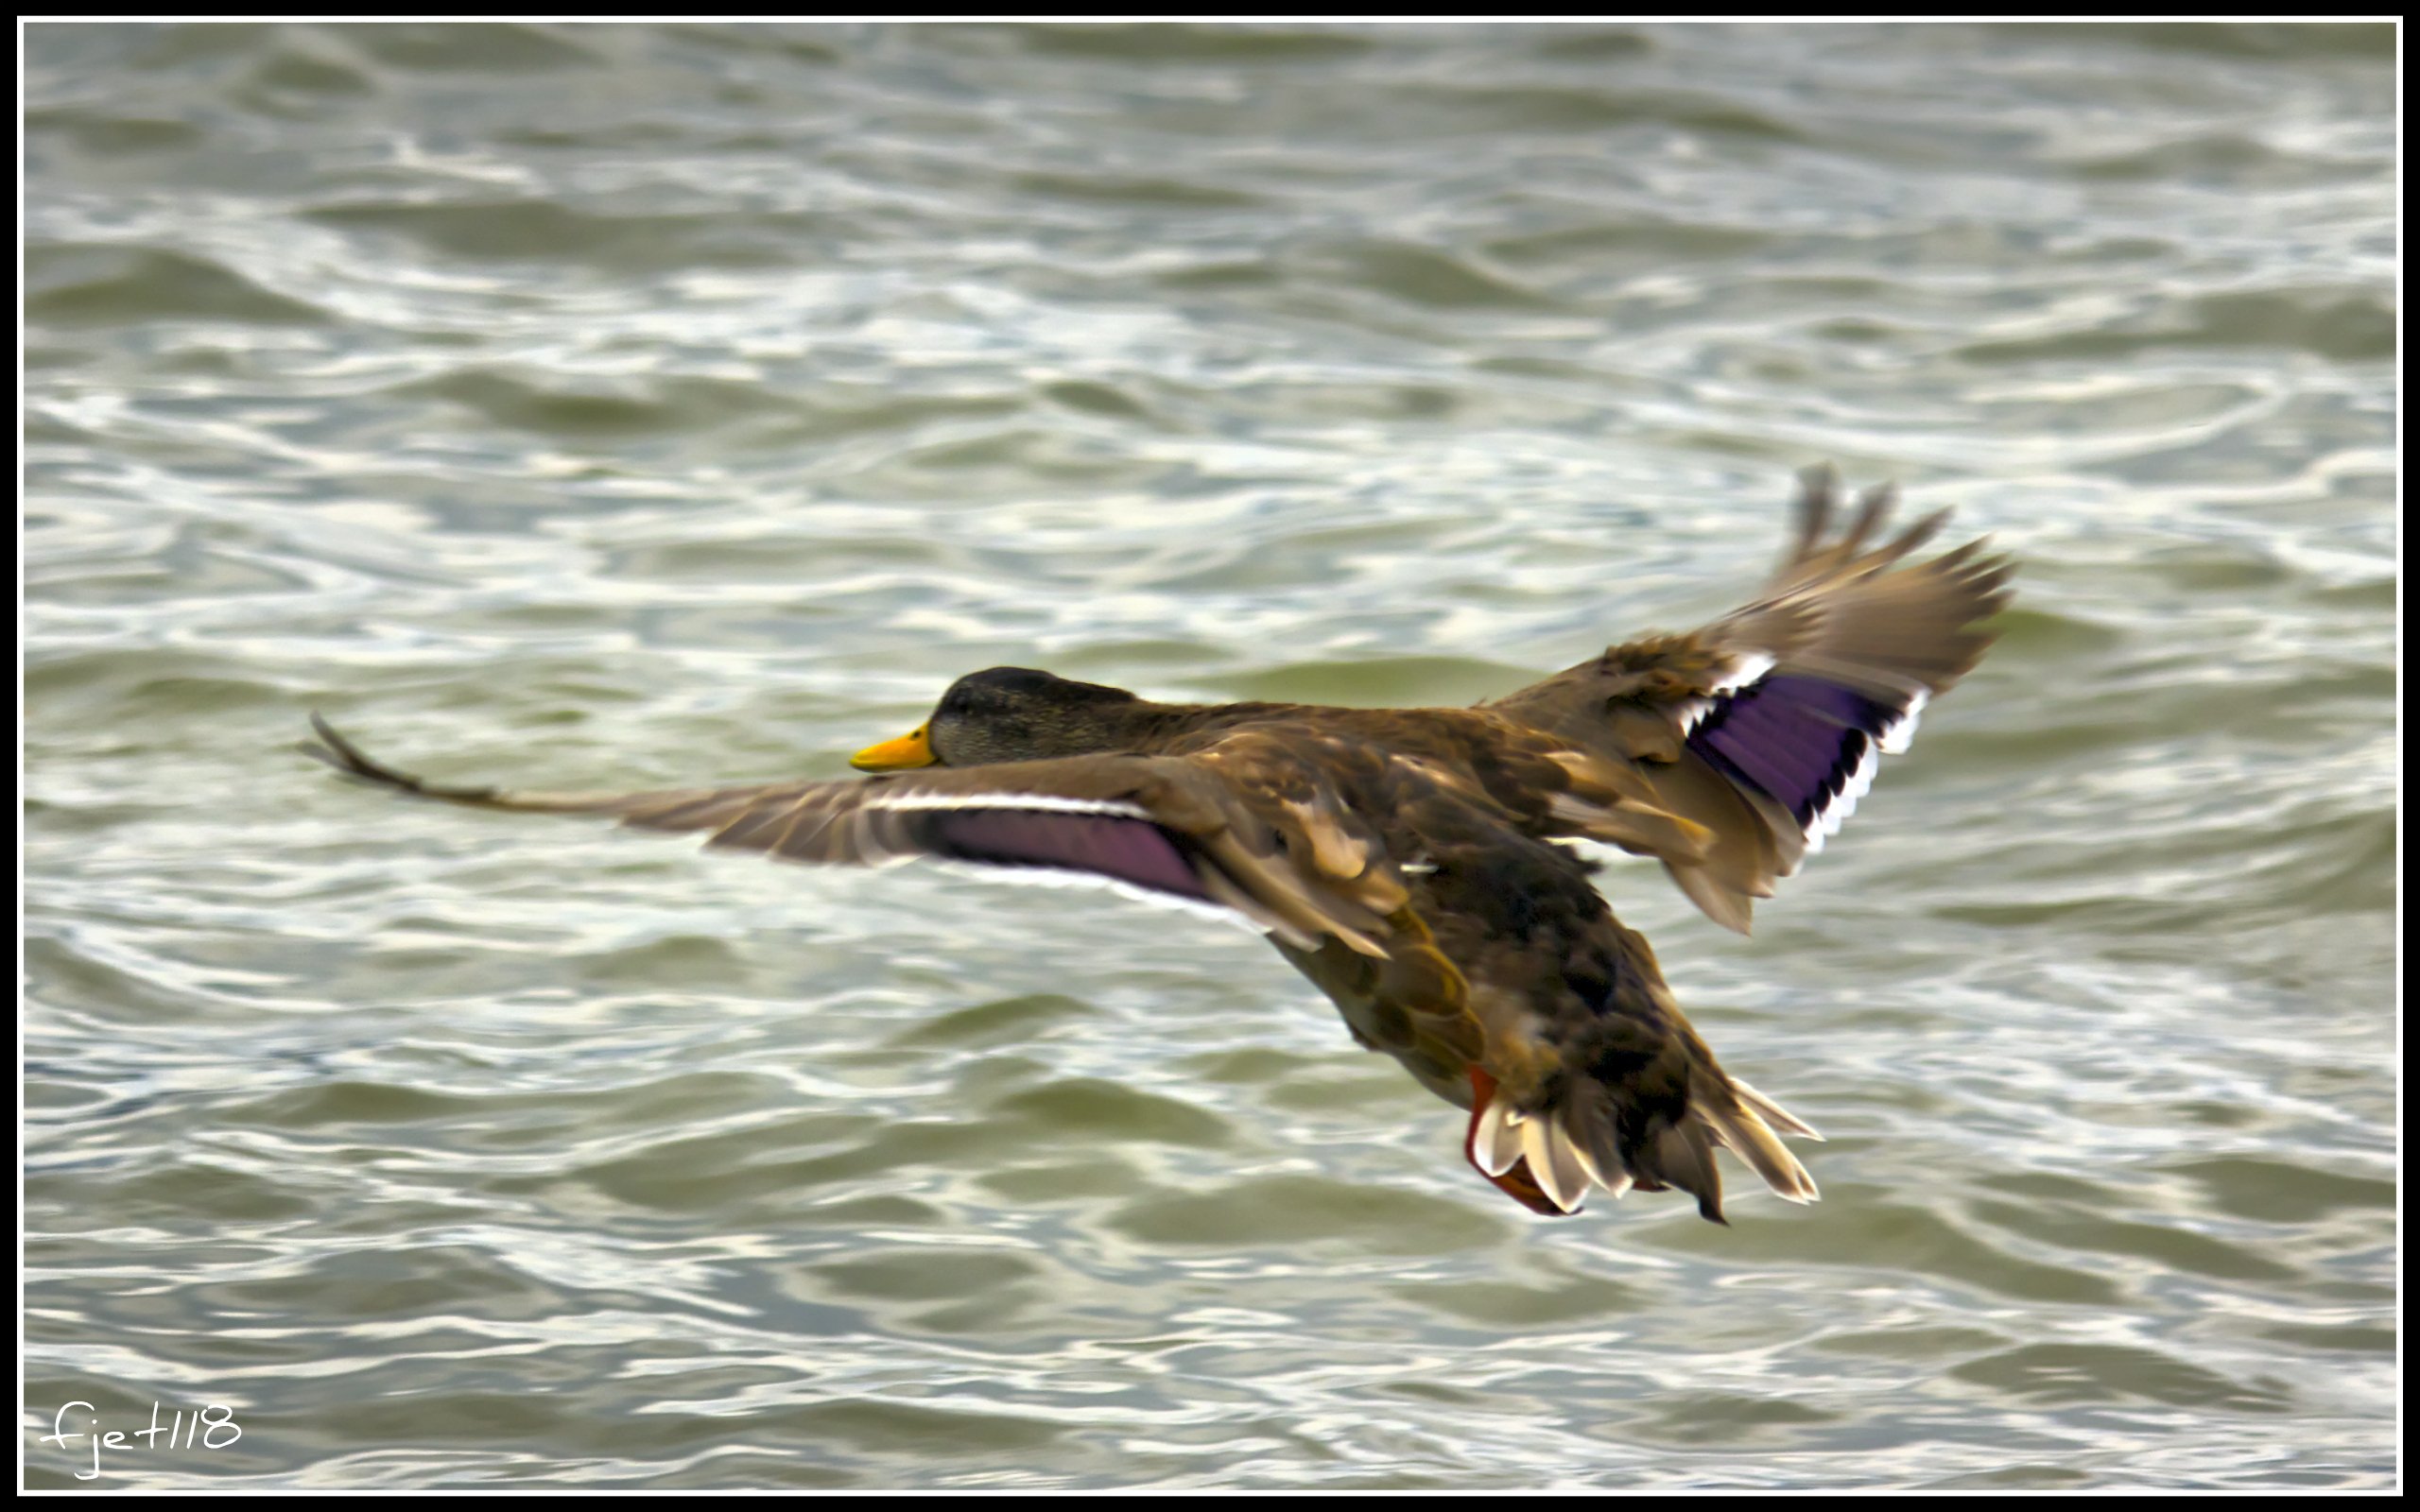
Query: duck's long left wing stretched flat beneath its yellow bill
1172	829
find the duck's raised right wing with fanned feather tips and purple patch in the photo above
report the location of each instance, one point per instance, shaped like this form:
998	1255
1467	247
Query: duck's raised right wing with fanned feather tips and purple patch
1768	725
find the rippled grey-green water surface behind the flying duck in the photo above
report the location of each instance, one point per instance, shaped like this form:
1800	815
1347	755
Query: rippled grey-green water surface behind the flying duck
601	408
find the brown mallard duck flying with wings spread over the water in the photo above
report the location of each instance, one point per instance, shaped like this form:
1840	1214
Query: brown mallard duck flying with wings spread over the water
1410	860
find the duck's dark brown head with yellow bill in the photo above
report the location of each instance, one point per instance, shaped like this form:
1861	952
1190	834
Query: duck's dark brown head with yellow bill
1010	715
